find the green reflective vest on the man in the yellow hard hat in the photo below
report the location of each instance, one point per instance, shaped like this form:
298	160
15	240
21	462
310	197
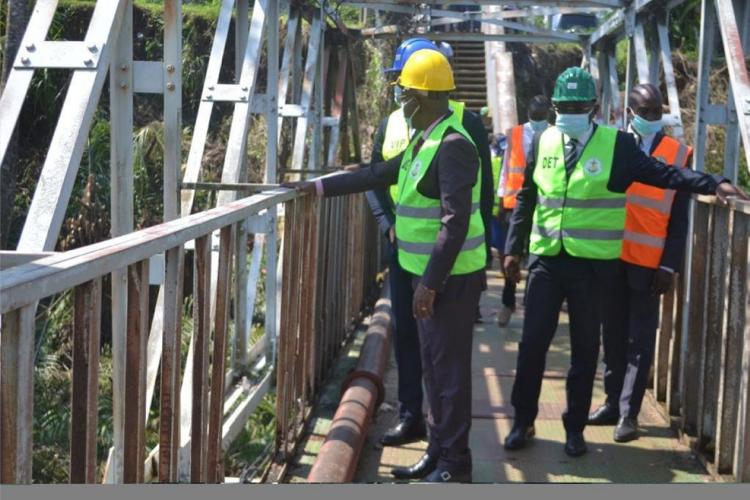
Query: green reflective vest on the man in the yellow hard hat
418	218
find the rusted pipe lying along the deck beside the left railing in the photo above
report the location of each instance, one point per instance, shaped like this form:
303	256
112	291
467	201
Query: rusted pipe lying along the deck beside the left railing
363	391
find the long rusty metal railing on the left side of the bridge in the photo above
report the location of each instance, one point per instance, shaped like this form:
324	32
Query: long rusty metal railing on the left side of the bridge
326	274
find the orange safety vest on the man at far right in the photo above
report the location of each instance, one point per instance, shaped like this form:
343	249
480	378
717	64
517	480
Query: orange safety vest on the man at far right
648	209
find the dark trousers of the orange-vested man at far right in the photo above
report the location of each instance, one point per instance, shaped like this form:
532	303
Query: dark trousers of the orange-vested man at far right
630	319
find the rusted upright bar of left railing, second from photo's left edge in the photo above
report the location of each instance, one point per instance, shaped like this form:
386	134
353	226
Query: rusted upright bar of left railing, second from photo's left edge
85	390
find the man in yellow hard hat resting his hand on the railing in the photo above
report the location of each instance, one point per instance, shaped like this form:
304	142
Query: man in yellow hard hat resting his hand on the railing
440	238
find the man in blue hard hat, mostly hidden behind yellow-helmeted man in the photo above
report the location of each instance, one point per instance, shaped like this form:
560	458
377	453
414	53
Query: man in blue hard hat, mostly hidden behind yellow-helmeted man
391	140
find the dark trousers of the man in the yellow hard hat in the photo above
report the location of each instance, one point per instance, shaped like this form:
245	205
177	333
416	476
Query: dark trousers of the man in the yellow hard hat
446	340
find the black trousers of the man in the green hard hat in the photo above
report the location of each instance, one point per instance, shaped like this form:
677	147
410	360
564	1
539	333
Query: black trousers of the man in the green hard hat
552	279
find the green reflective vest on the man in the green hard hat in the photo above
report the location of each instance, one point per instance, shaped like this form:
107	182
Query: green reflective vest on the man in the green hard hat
577	212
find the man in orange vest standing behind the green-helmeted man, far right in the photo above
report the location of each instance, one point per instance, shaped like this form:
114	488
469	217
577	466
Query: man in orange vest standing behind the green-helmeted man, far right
653	247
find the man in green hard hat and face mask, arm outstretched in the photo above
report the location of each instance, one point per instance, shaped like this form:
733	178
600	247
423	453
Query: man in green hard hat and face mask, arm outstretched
570	215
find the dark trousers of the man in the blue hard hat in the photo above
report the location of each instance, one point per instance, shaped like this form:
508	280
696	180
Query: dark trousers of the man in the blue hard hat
405	340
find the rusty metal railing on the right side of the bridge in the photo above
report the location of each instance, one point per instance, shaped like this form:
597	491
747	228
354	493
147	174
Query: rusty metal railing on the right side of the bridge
702	372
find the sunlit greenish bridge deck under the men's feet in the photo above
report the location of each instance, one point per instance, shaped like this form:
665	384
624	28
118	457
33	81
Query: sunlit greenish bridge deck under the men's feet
657	457
